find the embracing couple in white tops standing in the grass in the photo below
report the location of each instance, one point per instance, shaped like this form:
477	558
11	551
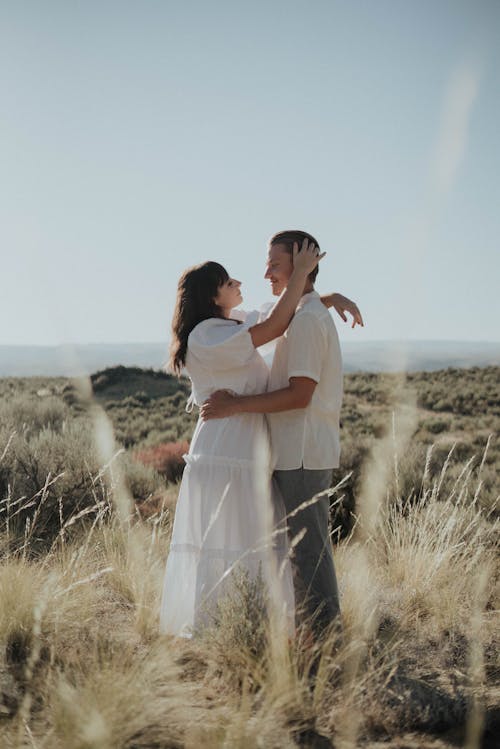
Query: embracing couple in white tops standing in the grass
228	491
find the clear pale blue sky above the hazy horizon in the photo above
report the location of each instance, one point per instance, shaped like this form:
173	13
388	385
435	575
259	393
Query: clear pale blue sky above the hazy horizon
137	138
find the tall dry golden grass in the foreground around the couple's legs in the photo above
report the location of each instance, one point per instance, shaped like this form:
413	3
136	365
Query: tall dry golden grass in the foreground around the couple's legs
82	665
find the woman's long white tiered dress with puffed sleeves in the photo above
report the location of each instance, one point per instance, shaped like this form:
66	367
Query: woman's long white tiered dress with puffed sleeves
226	508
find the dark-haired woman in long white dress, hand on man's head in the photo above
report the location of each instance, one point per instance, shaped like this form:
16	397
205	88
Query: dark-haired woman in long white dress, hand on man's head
222	515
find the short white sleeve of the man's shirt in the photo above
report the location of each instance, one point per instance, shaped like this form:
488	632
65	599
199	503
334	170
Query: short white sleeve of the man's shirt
307	346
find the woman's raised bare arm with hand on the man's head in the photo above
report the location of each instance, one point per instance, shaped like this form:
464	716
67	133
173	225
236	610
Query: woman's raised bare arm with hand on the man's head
303	263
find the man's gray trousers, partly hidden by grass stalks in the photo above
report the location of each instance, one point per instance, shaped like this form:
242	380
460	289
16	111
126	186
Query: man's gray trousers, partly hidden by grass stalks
316	589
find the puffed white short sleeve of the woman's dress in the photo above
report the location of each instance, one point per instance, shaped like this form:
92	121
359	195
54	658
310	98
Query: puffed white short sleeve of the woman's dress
221	343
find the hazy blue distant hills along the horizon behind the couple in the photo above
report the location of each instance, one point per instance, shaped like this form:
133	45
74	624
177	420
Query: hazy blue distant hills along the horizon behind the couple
366	356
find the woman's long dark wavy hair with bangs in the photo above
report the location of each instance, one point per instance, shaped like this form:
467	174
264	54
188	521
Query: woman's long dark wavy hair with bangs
196	291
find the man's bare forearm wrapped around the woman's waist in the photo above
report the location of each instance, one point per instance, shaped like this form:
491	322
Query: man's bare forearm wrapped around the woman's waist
223	403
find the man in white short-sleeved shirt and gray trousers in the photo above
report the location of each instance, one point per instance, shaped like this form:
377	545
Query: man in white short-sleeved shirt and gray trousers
303	406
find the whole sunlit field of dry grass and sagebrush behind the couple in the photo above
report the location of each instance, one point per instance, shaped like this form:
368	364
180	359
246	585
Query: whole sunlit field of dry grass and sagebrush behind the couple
88	482
